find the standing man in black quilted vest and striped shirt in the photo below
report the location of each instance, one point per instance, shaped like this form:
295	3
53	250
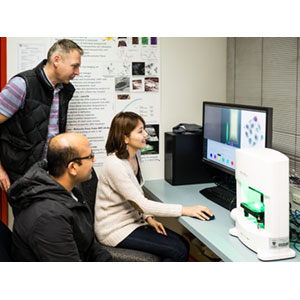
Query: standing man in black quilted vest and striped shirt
33	108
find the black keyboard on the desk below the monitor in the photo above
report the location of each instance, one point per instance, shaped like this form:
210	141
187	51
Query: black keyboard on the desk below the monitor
221	196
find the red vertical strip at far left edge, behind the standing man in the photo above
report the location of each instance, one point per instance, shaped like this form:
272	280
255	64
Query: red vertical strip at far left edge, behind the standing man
3	79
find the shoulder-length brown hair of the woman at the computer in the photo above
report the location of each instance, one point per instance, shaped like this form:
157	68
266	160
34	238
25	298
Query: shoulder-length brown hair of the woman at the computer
122	125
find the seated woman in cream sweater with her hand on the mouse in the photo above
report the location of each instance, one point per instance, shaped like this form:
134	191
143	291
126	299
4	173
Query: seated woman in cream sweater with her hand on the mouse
123	216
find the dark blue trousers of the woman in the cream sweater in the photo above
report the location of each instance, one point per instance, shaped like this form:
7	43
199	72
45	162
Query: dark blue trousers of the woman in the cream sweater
170	247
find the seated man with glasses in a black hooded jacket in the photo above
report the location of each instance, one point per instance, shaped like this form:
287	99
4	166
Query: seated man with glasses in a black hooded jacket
55	223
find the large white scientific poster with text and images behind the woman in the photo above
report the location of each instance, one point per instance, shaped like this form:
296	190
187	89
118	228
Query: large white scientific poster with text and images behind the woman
116	74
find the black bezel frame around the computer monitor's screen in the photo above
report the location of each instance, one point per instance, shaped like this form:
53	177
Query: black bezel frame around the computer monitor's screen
269	124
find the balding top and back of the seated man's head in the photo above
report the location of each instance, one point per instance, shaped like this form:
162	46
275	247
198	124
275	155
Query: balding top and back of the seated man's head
62	149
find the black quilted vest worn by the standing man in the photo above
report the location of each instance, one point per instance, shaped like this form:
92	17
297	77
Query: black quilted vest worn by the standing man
23	136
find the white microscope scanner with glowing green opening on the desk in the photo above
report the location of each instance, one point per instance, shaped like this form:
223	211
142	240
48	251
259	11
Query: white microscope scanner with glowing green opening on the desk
262	213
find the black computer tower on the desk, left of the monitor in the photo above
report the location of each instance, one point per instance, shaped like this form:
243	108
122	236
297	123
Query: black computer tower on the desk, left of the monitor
183	159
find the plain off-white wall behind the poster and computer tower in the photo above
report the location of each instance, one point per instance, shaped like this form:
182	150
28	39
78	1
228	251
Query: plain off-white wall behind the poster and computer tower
192	70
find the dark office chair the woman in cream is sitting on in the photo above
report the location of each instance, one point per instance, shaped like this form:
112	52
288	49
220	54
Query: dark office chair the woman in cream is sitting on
89	188
